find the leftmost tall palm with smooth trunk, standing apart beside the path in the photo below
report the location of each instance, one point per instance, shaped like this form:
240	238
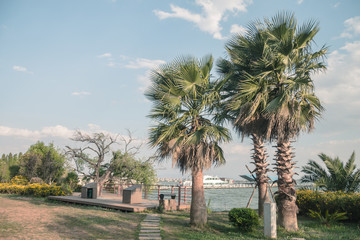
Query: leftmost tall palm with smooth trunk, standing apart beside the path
182	96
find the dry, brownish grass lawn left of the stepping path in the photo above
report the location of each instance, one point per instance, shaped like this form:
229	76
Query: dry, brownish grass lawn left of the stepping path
38	218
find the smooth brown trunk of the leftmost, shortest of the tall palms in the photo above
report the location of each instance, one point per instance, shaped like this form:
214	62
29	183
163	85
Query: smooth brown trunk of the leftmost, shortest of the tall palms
198	212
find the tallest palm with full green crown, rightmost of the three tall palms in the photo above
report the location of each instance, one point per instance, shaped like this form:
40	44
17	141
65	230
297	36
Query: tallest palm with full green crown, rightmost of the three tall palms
280	90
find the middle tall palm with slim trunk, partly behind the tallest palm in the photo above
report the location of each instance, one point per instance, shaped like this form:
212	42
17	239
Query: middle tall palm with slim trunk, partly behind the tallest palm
238	107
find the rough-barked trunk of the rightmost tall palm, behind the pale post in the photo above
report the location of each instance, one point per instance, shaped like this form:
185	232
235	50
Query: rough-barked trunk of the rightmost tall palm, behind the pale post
286	199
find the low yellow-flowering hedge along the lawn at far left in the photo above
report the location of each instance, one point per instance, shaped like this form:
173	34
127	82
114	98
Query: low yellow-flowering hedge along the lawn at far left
38	190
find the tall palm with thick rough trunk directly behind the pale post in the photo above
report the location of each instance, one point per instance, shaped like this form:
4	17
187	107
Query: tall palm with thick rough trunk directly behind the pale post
292	107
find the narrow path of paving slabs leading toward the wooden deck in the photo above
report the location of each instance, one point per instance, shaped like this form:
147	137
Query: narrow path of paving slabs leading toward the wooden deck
150	227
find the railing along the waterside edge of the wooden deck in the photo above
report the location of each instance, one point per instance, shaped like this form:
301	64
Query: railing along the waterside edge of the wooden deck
151	192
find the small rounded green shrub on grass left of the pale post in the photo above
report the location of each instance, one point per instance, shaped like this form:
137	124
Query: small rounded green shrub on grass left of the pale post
245	219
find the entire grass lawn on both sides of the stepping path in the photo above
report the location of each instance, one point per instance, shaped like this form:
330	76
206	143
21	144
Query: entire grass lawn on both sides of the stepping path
37	218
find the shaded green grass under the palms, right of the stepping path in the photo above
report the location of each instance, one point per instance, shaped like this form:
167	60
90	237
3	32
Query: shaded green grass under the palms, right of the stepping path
176	226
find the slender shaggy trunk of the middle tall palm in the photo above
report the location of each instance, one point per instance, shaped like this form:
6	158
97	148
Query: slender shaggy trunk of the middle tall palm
259	157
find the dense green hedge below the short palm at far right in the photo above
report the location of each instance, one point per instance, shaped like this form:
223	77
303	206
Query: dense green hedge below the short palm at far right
331	201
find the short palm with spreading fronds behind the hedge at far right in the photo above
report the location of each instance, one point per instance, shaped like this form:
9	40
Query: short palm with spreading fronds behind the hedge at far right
336	176
